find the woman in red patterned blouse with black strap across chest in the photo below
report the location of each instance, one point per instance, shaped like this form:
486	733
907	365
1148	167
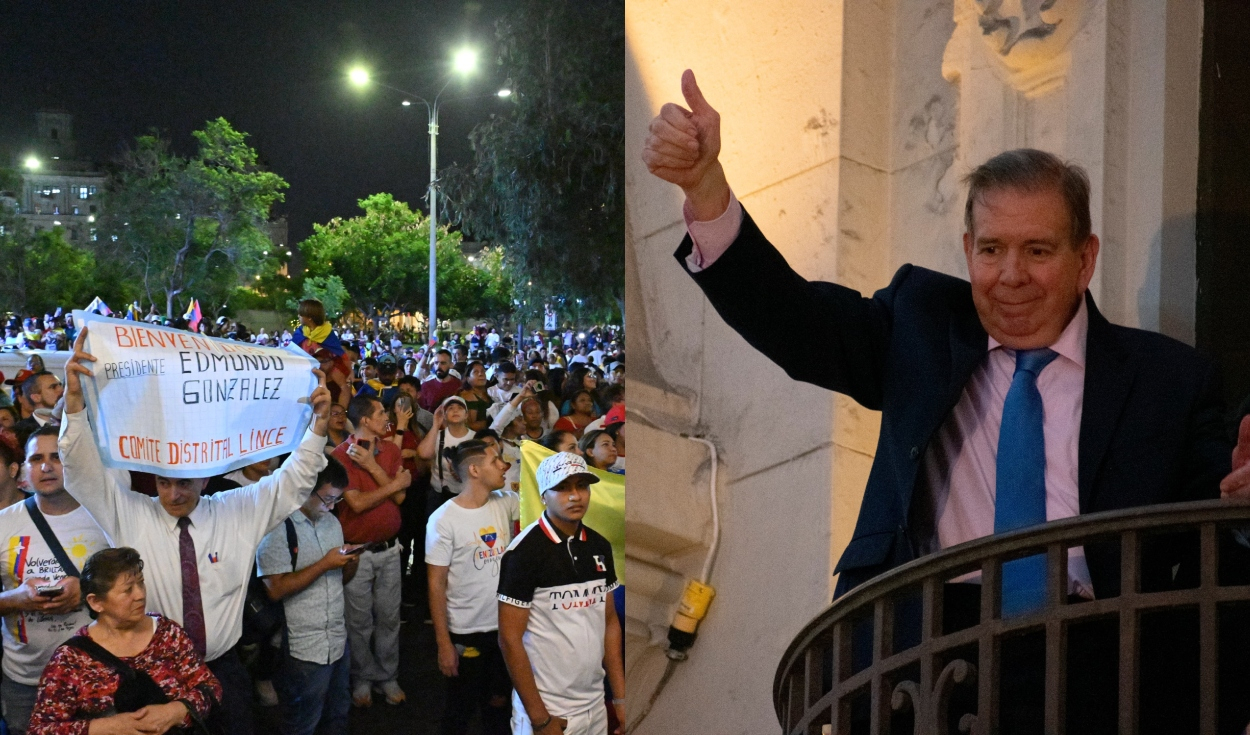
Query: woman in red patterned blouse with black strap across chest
128	672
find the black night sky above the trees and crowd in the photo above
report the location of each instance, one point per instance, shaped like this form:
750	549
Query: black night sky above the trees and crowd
276	71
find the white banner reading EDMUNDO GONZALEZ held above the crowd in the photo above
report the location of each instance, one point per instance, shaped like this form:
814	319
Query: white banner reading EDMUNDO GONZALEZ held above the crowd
184	406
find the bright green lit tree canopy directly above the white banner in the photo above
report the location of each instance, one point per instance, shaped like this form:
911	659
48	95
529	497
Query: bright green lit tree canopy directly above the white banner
194	224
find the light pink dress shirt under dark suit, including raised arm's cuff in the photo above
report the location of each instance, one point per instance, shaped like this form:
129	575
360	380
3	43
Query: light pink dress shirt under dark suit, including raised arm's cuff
963	454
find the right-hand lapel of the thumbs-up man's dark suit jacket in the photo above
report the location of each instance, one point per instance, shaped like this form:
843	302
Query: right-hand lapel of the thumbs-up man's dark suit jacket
1109	372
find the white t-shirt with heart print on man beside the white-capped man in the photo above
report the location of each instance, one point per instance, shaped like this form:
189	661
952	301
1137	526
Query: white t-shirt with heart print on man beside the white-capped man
471	542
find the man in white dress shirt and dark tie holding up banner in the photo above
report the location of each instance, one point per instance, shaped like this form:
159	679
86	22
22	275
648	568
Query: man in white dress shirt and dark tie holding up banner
221	533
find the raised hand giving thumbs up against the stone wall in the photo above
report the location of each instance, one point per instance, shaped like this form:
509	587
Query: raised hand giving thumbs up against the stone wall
683	147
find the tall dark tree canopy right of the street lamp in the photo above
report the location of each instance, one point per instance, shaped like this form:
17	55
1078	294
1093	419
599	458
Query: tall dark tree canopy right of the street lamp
547	179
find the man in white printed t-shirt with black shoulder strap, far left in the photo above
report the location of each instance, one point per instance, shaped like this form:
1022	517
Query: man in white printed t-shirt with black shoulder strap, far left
41	603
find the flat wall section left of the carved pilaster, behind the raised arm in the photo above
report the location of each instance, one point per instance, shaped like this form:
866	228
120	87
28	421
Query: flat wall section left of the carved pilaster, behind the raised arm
774	71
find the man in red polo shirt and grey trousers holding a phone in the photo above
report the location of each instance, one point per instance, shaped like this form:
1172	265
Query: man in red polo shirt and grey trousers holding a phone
371	514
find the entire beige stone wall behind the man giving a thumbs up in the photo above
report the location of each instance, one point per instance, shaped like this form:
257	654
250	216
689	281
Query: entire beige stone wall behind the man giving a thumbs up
847	128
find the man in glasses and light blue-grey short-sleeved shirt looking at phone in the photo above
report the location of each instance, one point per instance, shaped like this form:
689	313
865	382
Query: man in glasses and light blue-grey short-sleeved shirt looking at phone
313	679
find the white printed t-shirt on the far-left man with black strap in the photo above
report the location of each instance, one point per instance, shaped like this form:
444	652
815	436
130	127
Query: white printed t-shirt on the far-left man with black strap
31	638
